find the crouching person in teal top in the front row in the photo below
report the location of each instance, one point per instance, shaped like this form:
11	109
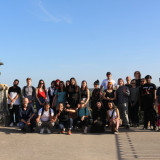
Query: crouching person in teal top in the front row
82	119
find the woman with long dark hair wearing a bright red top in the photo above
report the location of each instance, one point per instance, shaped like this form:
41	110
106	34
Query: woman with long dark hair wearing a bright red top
41	95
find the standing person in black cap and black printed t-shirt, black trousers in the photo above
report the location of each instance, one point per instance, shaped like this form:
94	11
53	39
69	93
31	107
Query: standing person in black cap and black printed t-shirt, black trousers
149	92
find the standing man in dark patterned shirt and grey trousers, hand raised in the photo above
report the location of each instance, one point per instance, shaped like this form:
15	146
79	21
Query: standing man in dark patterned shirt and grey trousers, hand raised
122	95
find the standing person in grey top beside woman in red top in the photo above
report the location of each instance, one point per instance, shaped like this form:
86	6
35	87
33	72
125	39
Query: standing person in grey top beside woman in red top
29	92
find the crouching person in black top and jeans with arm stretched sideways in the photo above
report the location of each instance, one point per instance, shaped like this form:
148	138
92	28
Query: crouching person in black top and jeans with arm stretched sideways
64	121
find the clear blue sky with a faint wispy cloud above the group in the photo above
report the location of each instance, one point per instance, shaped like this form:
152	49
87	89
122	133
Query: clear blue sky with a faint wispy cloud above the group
52	39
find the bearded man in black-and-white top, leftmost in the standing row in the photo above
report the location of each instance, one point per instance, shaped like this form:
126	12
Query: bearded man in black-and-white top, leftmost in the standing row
14	93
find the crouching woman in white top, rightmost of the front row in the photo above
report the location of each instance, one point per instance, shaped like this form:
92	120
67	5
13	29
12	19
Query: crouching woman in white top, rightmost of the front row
113	117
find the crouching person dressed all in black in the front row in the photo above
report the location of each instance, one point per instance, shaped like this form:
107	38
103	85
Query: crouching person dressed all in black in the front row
99	118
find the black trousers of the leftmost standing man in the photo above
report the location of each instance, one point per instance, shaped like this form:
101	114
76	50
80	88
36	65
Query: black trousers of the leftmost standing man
14	110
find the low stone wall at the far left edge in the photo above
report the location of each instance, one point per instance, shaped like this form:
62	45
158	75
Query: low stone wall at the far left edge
3	104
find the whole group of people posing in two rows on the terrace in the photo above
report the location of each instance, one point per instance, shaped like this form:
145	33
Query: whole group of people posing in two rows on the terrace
67	106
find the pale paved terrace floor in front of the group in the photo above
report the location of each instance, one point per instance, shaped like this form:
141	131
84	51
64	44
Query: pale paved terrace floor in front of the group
131	145
